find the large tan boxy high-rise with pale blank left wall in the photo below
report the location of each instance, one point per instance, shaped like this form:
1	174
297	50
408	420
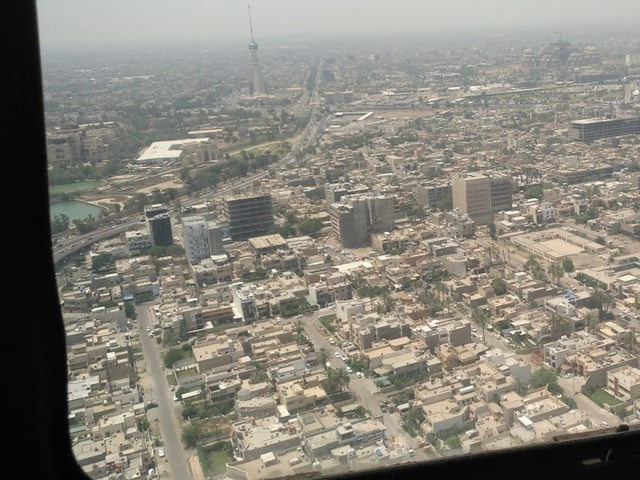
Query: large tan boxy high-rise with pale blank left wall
480	196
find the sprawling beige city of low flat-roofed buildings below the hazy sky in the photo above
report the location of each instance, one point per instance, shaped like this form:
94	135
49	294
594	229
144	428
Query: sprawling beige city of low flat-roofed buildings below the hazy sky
325	258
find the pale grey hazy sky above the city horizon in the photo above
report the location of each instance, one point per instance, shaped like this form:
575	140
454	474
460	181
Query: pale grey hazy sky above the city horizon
91	23
